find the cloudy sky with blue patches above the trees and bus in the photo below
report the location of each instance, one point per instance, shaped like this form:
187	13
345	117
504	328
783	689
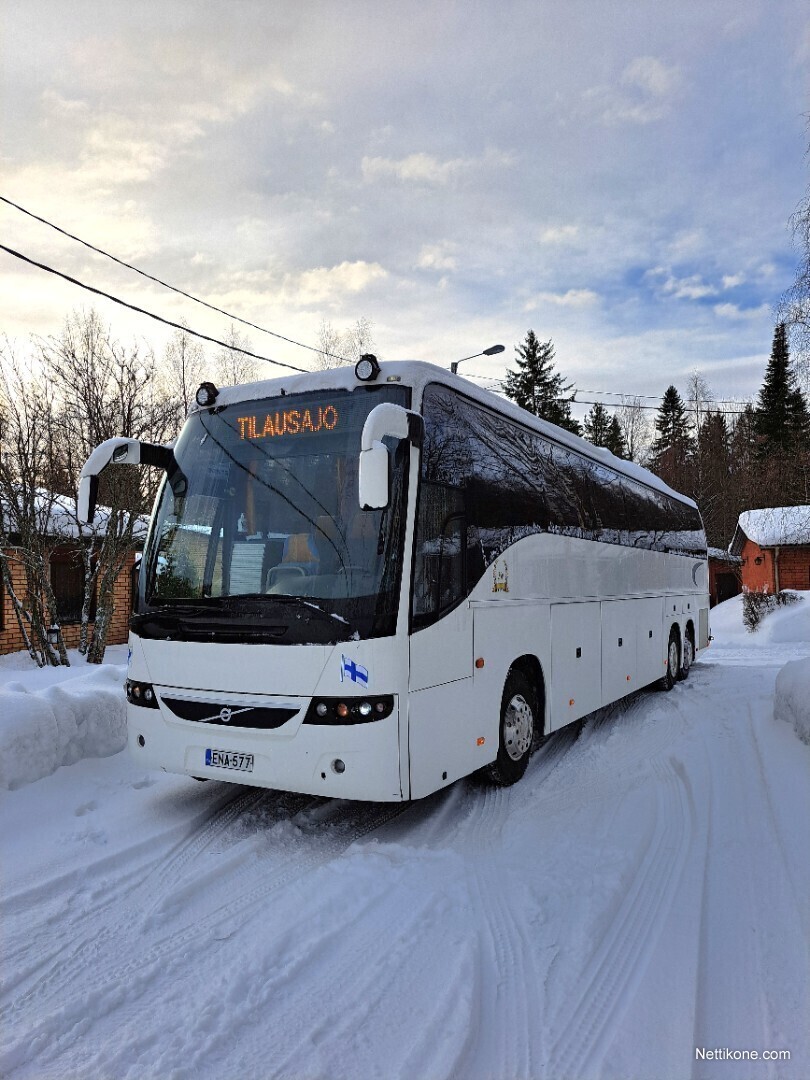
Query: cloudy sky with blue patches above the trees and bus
616	175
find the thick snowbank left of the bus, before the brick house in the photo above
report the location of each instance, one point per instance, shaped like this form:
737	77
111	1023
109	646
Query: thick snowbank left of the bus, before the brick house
43	730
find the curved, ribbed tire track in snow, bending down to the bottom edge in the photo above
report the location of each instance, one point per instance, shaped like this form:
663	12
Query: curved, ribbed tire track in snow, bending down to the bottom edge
588	1017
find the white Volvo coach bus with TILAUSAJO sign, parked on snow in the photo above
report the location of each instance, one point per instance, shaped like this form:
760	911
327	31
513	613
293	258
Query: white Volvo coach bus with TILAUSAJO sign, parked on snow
369	584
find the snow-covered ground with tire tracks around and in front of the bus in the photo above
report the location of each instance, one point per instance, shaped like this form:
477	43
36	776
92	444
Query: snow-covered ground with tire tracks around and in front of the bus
636	908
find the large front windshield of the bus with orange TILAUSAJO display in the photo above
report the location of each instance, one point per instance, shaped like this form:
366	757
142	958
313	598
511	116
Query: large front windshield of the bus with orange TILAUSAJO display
264	538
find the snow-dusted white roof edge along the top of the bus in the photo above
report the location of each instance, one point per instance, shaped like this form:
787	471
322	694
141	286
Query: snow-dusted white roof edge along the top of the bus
417	375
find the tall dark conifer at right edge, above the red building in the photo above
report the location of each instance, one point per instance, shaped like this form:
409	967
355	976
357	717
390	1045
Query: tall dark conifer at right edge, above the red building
781	416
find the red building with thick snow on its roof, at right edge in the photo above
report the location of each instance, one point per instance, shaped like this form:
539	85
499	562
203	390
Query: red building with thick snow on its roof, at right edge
775	548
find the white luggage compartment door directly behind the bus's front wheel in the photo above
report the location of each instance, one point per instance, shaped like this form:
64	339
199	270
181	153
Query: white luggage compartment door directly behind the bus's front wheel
576	661
